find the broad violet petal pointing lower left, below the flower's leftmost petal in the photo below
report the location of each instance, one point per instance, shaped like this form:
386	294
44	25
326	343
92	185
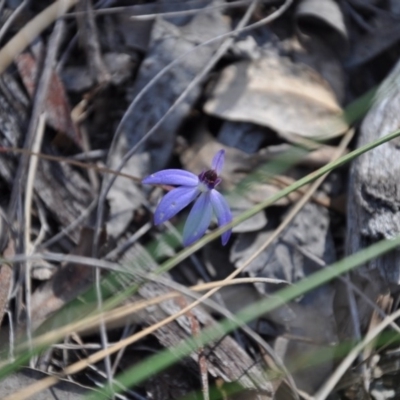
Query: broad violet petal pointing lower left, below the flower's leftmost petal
173	202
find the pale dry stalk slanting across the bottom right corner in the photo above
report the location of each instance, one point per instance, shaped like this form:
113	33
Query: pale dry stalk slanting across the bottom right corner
326	389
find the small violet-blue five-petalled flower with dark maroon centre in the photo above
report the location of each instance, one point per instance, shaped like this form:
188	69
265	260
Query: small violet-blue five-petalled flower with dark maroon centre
192	187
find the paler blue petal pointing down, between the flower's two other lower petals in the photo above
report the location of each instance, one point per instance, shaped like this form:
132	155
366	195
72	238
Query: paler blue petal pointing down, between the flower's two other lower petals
198	220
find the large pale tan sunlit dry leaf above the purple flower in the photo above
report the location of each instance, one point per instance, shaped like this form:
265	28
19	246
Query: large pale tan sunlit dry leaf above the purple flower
289	98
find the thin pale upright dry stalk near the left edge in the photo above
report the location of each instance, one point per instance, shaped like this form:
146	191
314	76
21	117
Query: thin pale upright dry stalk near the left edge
28	206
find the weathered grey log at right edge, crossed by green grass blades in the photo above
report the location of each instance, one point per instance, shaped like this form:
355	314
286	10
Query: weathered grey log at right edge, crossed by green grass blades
374	206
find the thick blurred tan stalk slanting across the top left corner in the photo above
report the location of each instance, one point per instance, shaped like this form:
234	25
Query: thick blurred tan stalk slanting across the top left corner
31	30
